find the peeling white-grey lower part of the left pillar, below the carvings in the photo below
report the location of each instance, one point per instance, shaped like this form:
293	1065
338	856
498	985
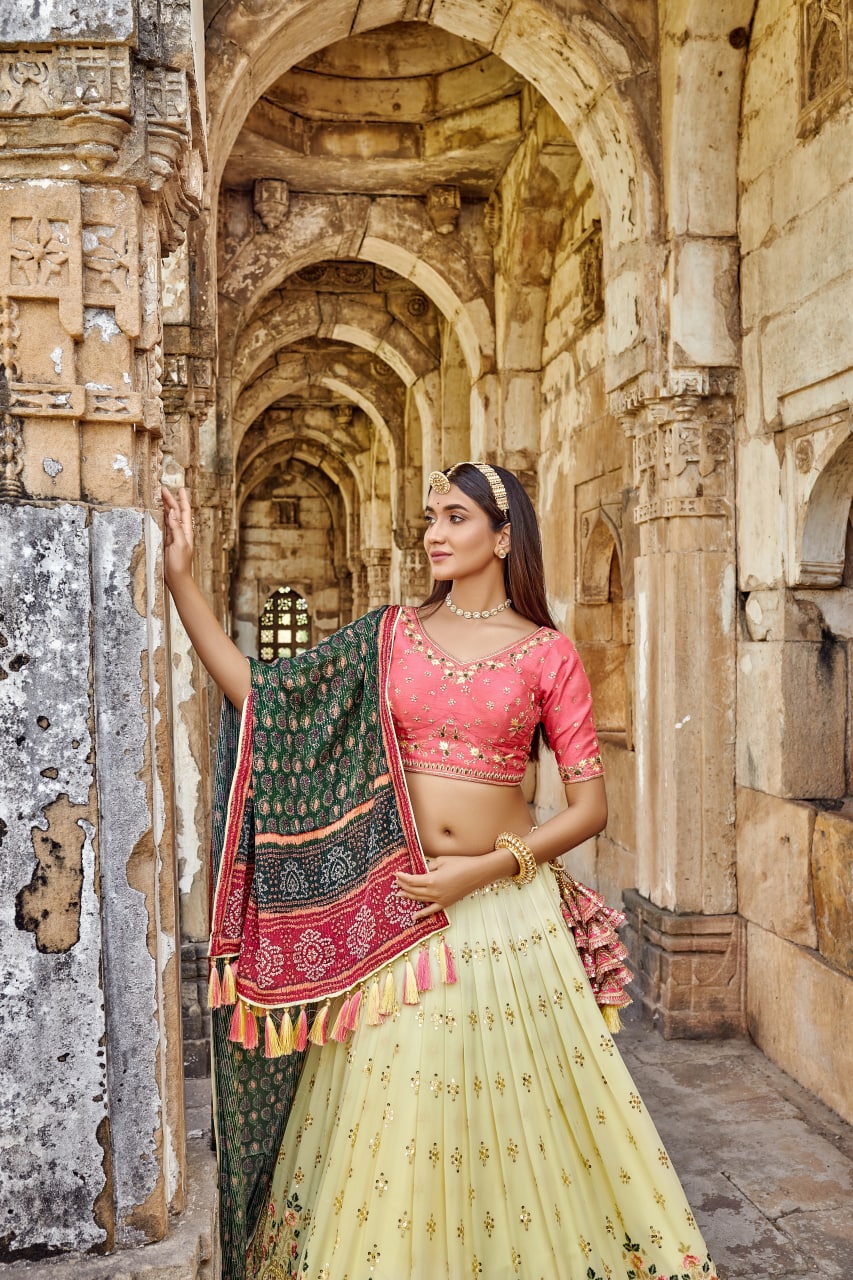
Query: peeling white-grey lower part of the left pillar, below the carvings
94	1127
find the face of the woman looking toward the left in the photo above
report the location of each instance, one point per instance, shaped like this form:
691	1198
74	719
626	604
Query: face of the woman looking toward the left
459	538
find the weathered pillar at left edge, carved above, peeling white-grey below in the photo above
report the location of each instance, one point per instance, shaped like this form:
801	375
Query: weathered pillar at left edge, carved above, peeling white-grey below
98	179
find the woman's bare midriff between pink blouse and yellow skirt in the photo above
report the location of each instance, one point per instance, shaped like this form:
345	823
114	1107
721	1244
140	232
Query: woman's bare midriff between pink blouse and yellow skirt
455	816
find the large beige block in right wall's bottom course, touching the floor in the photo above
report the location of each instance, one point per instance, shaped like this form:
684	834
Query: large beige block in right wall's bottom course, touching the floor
800	1011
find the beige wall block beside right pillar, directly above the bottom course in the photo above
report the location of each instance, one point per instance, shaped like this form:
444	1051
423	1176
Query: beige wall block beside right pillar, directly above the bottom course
774	877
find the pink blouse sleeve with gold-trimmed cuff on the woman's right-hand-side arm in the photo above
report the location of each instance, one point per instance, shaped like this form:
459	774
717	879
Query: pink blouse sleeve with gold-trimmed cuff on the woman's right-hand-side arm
567	714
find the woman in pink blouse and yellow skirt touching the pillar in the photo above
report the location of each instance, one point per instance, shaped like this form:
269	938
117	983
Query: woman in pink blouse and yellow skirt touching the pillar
480	1126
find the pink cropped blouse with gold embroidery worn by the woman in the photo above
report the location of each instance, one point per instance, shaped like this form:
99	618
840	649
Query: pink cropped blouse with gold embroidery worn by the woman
477	720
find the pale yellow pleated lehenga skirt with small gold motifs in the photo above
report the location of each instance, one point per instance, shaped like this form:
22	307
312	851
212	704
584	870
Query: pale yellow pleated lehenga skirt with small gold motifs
491	1131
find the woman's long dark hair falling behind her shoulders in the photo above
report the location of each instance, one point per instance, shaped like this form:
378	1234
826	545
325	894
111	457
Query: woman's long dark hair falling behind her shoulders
523	569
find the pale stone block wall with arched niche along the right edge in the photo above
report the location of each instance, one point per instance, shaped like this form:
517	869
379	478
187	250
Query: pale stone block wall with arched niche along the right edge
795	492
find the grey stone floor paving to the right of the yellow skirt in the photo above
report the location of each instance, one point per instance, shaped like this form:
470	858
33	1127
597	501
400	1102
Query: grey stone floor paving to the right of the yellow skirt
768	1169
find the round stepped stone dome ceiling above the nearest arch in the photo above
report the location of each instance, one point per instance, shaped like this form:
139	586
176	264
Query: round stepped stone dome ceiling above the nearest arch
394	112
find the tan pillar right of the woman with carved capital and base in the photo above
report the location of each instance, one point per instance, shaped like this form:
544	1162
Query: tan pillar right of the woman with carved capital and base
686	692
